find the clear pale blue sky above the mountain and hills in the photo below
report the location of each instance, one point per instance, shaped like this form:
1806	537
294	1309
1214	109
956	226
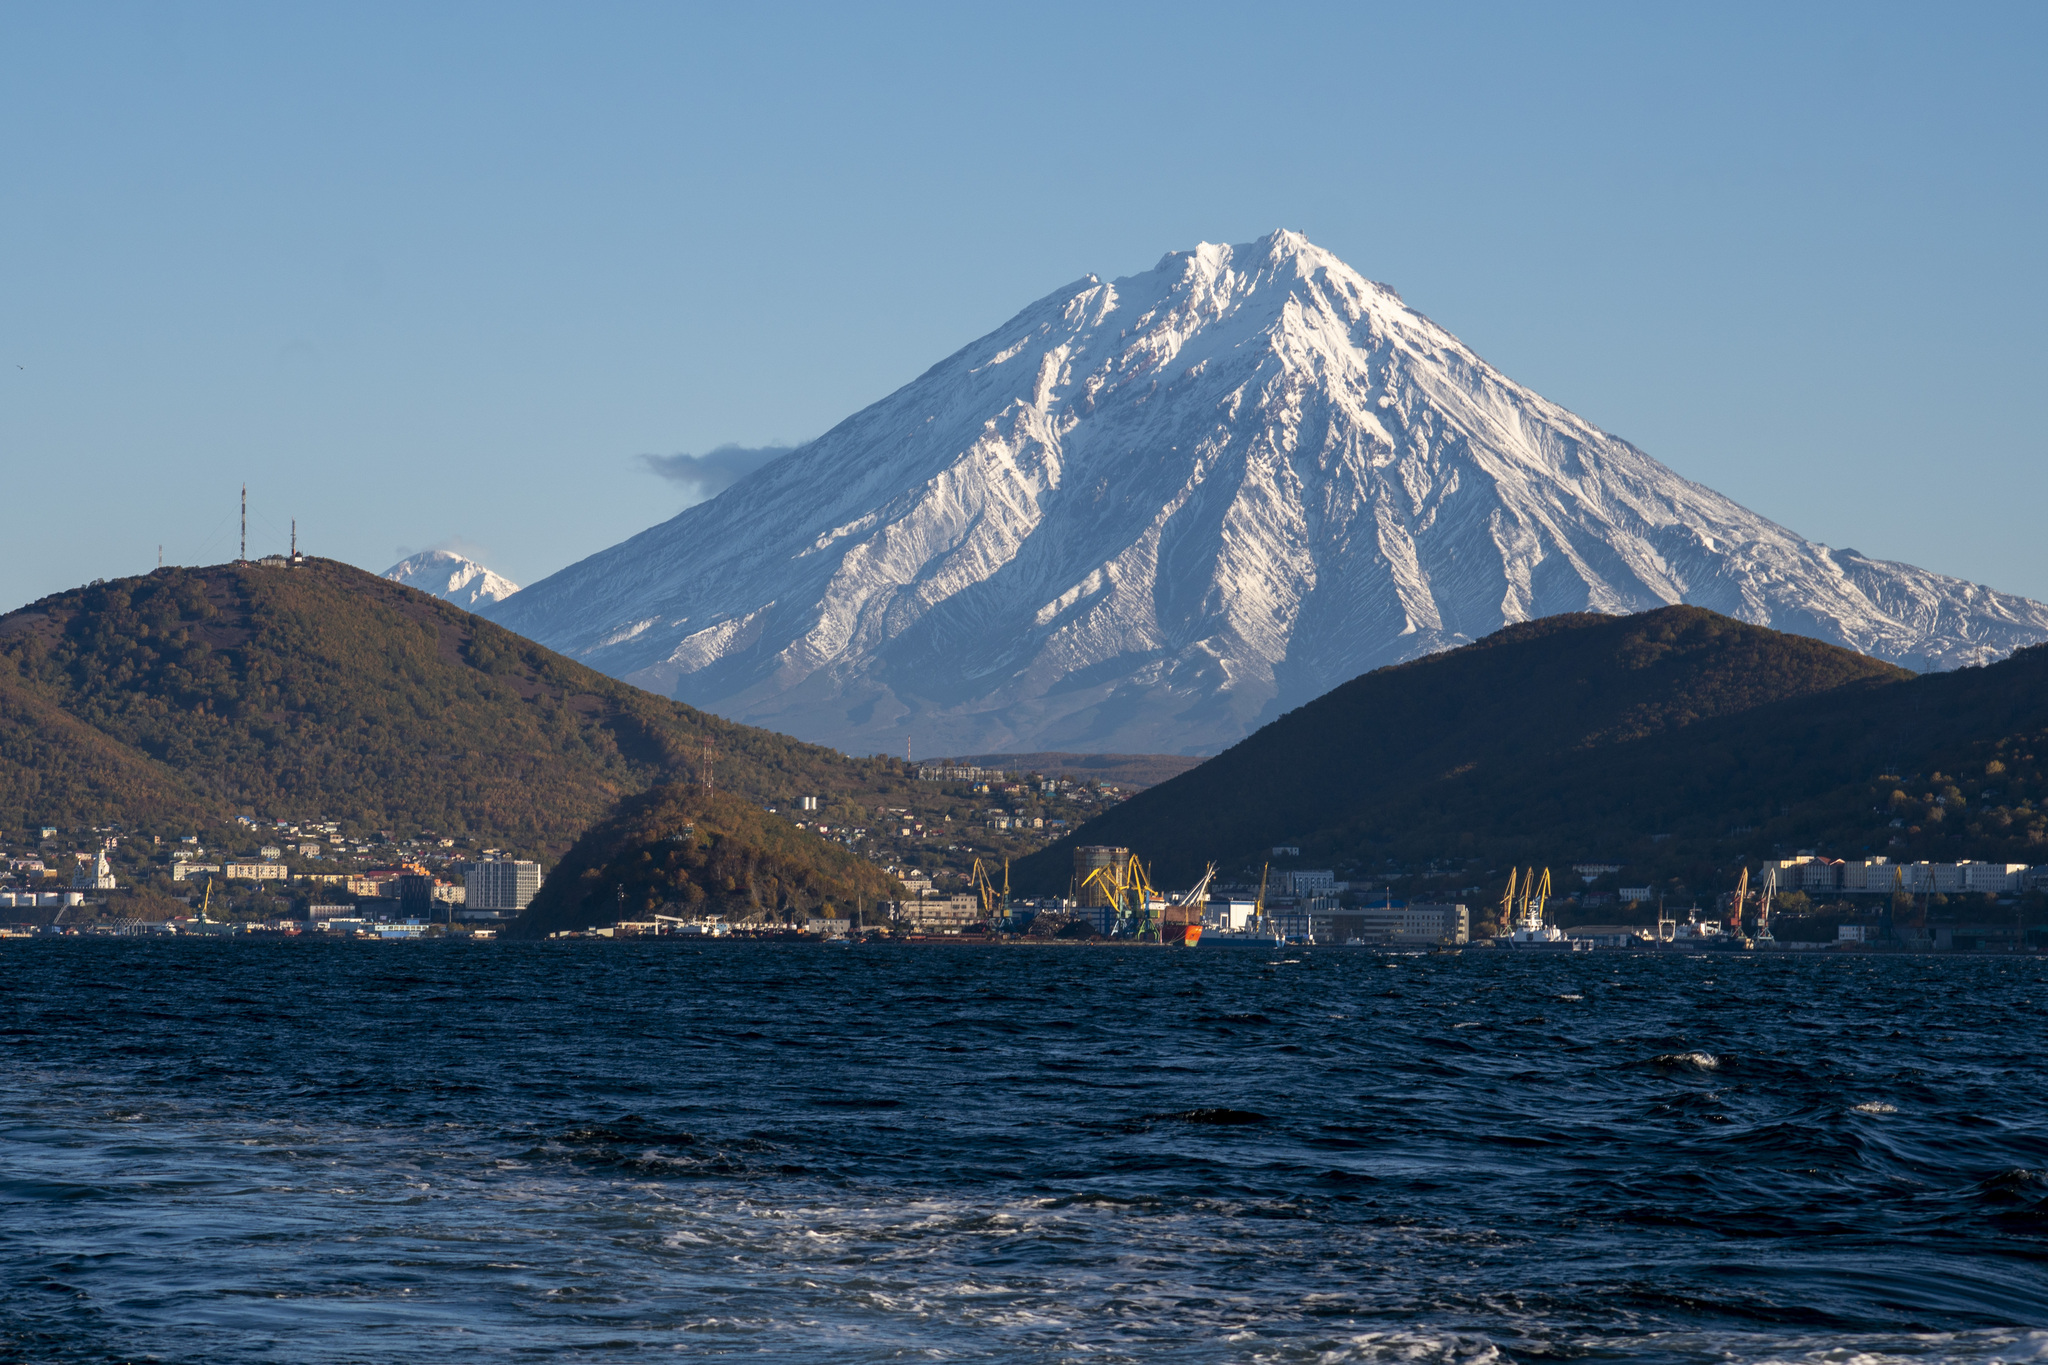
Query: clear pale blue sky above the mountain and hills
439	275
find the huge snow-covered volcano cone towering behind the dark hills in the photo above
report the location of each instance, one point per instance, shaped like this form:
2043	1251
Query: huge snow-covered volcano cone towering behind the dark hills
1150	515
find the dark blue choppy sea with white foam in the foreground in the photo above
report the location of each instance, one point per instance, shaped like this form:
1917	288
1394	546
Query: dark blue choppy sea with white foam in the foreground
603	1151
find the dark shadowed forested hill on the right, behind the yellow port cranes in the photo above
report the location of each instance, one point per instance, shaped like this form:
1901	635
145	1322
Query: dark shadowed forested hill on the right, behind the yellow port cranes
1672	742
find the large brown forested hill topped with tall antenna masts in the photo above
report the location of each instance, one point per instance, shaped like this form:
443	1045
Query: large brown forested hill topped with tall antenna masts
323	691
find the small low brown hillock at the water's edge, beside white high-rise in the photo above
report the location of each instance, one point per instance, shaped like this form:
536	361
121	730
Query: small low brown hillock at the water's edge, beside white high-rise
687	852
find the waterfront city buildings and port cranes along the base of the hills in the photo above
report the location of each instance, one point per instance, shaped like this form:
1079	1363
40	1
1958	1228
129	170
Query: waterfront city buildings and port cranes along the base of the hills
323	877
